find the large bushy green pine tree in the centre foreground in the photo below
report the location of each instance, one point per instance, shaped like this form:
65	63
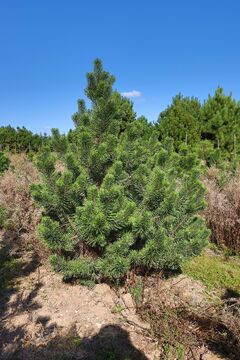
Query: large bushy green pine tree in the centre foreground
121	199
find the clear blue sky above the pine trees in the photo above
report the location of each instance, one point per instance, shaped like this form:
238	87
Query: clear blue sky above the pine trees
155	49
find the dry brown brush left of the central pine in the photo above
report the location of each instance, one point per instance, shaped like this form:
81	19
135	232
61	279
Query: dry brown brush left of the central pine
21	214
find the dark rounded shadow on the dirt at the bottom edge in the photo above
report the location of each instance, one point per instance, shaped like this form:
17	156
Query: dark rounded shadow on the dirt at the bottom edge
110	343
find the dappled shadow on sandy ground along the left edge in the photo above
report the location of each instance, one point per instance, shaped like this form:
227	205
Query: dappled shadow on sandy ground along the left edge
13	301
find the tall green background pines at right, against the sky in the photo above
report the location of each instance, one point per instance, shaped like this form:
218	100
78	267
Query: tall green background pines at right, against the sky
211	130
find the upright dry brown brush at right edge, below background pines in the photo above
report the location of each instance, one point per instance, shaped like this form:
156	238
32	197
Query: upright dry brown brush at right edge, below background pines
223	209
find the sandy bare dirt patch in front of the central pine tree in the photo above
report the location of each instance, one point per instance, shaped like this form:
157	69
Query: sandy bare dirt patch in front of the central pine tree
42	312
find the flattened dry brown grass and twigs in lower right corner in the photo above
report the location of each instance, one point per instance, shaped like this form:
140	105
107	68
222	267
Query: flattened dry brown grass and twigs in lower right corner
188	332
